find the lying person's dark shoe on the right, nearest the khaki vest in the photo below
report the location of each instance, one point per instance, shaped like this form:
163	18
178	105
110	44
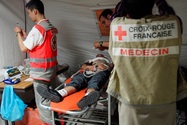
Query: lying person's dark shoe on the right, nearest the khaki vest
89	99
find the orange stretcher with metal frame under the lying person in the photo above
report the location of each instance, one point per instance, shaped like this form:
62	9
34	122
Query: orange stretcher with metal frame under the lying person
70	113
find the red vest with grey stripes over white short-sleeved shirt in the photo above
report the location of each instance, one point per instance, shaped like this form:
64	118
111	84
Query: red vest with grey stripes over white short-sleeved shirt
42	43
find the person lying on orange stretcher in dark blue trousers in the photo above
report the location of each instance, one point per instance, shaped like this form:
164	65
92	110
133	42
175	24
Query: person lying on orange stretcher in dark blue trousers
94	75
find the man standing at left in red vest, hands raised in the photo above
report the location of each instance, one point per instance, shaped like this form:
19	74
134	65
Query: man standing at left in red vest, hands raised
41	43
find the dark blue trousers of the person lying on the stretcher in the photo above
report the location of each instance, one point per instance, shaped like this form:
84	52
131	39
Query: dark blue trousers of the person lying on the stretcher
96	82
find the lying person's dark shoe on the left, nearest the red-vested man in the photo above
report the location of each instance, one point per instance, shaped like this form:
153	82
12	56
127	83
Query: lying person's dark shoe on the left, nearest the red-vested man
48	93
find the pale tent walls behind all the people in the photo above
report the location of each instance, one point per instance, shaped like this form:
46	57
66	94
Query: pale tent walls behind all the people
78	28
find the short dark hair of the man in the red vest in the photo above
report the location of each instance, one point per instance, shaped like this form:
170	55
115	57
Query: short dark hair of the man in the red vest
35	4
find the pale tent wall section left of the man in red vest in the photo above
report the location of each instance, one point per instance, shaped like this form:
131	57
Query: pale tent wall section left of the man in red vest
9	50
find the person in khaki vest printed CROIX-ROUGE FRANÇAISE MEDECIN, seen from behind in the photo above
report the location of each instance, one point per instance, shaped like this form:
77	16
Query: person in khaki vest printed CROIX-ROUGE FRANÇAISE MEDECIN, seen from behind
144	79
